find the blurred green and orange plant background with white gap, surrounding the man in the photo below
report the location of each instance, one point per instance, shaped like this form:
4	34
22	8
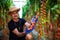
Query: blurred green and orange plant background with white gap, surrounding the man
48	25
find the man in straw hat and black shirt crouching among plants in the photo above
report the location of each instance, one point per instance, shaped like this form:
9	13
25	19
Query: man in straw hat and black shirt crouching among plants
16	24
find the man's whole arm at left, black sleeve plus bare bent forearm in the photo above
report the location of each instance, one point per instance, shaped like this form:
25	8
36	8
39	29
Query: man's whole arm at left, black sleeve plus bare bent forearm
14	29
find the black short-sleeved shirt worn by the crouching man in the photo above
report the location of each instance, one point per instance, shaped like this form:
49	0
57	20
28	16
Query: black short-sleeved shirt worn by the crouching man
19	25
